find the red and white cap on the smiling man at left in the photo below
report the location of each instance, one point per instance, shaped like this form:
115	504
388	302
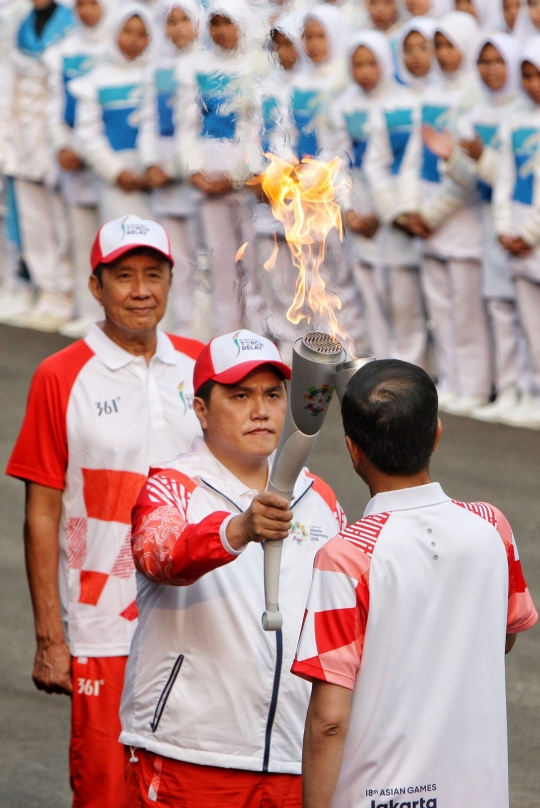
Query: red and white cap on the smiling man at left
119	236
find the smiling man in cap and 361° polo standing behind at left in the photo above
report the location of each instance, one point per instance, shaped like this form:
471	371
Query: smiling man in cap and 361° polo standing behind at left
99	413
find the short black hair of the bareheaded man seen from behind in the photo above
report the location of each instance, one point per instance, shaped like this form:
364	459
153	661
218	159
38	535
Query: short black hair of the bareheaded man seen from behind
390	411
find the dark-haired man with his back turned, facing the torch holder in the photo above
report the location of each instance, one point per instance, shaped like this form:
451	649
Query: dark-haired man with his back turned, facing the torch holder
408	618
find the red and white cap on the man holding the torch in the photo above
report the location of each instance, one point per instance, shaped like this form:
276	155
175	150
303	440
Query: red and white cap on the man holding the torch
228	359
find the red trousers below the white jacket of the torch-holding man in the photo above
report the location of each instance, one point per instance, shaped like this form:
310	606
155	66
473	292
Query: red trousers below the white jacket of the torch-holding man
152	780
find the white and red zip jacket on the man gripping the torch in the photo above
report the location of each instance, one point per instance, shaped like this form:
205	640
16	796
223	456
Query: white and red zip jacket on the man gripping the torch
204	682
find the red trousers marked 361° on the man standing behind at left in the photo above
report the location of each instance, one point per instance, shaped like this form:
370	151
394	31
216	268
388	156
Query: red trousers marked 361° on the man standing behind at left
96	758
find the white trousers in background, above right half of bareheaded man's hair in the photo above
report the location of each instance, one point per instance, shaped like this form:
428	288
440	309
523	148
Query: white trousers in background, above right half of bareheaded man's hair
407	320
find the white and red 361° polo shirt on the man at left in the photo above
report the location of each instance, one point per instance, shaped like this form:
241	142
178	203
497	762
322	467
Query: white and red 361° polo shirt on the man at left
97	418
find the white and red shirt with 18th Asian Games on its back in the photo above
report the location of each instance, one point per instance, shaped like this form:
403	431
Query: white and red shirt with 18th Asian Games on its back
410	608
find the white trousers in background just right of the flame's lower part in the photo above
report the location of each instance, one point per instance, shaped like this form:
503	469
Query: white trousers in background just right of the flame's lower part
370	280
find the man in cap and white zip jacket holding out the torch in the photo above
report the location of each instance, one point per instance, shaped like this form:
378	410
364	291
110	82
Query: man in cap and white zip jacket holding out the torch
210	710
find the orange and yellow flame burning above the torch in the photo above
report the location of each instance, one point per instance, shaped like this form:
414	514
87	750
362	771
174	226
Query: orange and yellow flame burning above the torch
304	197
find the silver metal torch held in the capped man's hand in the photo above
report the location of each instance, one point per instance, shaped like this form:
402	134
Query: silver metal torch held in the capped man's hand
315	357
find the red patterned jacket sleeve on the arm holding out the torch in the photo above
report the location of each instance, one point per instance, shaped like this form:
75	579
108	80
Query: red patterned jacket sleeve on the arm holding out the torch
166	547
